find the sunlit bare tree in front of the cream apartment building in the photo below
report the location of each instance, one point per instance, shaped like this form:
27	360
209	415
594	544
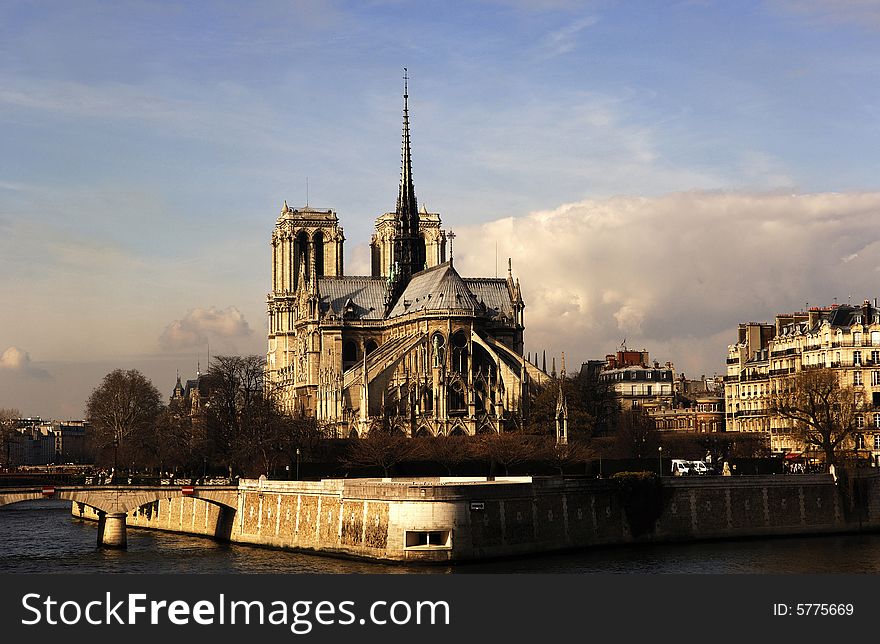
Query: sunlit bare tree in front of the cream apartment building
822	411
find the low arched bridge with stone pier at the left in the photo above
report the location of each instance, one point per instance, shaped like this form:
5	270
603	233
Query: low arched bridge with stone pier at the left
112	502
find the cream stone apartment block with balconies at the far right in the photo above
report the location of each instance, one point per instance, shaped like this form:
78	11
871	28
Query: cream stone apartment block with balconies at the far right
845	338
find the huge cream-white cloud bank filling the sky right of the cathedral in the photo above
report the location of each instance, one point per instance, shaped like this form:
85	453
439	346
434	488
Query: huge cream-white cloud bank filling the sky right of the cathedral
675	274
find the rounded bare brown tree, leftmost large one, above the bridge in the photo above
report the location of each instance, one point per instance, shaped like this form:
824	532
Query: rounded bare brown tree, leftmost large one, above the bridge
122	412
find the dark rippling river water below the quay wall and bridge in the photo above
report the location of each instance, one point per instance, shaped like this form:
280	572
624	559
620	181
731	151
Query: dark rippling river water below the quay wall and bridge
42	537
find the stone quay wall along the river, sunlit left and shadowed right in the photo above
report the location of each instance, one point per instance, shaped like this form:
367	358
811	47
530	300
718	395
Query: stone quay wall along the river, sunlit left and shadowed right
443	520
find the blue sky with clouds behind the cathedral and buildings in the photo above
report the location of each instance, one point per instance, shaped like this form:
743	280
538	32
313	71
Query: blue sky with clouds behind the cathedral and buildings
658	172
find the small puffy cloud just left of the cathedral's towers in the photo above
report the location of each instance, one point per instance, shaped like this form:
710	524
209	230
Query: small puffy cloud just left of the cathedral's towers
200	326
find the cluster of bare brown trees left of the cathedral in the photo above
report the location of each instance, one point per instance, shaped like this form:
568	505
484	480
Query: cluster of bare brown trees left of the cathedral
237	427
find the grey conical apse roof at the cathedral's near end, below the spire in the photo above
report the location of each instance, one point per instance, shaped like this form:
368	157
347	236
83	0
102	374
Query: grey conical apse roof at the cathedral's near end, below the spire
439	288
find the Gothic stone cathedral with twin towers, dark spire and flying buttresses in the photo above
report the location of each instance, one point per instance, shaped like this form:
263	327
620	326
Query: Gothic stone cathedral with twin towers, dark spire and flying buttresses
414	348
